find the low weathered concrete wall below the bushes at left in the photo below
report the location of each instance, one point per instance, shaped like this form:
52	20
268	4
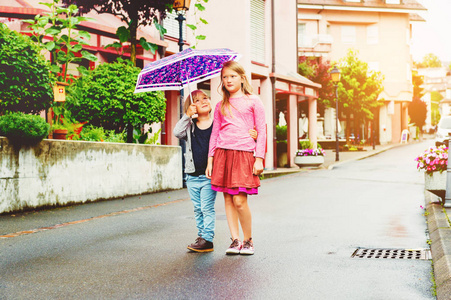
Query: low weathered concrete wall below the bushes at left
63	172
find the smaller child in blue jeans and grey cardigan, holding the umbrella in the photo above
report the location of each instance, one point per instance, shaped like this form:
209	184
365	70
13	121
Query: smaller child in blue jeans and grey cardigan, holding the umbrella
197	134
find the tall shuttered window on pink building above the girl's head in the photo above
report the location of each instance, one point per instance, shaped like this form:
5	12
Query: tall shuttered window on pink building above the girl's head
258	30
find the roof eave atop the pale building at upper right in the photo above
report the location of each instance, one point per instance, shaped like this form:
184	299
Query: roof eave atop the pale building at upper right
406	4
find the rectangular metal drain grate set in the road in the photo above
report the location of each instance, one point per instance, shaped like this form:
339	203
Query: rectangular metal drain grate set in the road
392	253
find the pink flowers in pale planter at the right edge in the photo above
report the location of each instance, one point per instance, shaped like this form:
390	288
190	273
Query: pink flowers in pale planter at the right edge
434	162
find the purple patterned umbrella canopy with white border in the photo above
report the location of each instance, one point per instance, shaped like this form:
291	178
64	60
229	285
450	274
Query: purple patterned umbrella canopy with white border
187	67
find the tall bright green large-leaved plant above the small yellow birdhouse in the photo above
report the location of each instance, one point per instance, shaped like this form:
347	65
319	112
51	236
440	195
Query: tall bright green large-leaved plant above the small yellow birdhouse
66	39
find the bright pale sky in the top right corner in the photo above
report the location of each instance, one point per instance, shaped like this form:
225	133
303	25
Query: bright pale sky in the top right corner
434	35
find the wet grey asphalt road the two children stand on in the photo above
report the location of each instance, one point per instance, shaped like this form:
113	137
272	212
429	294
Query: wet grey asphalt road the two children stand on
306	227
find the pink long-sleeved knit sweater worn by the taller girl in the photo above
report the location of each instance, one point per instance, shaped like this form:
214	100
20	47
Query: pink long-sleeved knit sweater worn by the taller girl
232	132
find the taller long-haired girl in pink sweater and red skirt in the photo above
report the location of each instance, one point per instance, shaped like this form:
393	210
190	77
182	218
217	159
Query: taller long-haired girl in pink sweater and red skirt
232	167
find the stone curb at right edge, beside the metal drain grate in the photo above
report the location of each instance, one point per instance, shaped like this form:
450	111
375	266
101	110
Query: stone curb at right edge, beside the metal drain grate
440	236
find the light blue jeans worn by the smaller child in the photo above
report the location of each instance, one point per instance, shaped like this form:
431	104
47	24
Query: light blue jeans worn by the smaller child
203	197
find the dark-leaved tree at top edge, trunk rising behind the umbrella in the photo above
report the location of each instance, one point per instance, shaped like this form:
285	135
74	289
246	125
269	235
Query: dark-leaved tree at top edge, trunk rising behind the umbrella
134	13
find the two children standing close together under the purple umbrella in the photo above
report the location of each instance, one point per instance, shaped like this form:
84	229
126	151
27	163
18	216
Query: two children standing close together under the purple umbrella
230	143
